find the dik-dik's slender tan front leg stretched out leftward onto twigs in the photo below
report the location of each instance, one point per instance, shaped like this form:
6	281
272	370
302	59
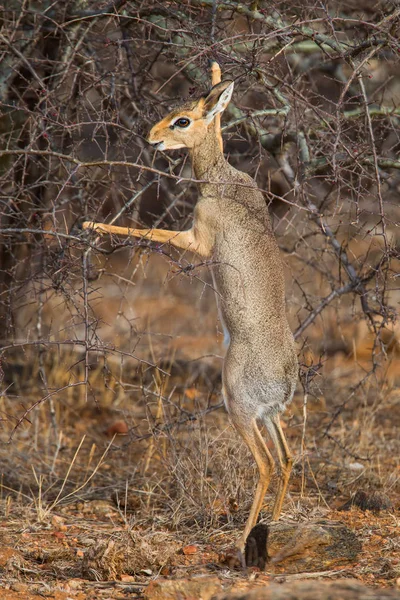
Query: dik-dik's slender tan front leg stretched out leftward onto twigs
194	239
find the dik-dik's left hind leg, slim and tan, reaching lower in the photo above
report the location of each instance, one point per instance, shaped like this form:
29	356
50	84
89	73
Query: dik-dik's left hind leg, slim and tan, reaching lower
253	438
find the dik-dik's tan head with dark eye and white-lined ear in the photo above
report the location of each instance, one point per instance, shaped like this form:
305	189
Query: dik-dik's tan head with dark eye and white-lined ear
186	126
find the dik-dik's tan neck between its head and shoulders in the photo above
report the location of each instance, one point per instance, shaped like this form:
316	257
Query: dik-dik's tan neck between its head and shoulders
208	160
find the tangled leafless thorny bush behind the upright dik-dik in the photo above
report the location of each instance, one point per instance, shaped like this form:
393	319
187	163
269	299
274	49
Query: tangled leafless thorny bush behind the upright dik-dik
315	120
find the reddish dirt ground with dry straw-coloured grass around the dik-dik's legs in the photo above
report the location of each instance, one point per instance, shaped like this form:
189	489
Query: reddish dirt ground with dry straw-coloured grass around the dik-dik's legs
138	477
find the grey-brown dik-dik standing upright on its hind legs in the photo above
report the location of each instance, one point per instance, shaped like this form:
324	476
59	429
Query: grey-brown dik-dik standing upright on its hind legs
231	228
